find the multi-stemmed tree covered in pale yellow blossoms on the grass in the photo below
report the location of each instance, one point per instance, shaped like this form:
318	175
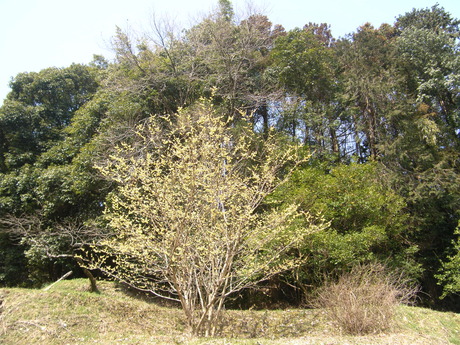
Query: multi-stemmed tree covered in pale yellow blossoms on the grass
186	214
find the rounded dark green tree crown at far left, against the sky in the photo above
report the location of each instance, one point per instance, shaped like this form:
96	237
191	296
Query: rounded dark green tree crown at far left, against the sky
39	106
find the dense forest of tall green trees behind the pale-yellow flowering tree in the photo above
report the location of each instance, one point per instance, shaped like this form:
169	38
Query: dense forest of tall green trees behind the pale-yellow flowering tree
375	112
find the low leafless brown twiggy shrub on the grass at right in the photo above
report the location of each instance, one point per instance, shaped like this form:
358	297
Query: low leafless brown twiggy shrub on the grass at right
364	300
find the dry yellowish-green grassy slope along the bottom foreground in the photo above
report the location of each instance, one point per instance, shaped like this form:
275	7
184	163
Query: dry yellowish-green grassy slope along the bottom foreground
67	314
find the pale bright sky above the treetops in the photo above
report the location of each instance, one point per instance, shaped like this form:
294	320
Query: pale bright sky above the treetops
36	34
